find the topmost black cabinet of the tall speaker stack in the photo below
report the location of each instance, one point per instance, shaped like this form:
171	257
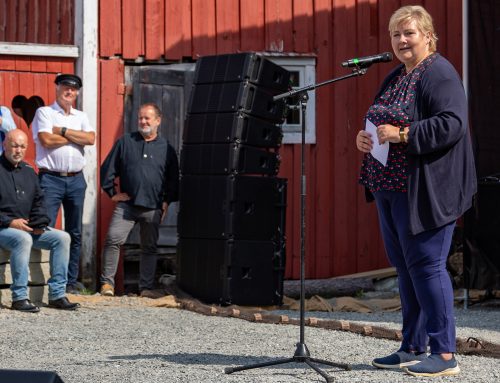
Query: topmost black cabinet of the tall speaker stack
242	67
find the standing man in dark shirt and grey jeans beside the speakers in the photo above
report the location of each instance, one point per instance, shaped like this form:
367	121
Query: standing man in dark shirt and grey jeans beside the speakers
148	170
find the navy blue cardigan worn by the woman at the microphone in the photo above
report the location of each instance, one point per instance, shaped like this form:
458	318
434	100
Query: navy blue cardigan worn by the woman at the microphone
441	170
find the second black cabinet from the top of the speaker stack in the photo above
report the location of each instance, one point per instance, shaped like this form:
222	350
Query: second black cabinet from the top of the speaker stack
236	97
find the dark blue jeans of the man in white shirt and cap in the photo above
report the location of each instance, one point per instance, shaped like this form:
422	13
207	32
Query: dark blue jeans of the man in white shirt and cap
70	192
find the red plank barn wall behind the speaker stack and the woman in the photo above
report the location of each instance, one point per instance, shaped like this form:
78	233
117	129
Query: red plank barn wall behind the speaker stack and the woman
342	231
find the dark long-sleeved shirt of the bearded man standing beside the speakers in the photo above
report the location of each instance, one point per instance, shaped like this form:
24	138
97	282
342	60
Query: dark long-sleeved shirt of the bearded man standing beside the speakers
148	171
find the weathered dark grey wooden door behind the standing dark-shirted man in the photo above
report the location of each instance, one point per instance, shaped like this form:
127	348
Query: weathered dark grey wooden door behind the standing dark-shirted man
169	87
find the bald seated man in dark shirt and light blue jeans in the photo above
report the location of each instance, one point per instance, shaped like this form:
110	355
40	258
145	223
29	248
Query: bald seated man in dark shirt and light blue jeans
23	225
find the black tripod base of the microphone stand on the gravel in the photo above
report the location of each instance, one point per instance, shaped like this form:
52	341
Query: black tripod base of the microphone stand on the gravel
301	355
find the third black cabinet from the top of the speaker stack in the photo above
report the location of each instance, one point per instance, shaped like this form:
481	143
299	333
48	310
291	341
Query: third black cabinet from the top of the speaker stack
217	128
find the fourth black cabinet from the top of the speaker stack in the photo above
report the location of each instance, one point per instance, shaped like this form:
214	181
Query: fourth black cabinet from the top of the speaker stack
227	159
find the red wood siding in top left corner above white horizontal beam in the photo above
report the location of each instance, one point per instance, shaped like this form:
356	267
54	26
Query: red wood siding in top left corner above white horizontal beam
37	21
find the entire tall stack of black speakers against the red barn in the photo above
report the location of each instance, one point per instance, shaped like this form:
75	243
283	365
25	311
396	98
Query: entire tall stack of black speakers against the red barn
231	219
